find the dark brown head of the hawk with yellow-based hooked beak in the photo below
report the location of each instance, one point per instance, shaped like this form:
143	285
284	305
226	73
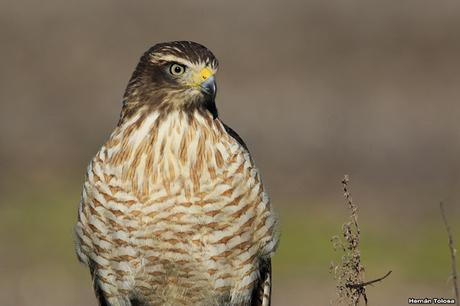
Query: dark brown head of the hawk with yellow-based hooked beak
177	74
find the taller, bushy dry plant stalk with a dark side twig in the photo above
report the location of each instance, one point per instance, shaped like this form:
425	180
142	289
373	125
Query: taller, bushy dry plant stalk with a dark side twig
349	273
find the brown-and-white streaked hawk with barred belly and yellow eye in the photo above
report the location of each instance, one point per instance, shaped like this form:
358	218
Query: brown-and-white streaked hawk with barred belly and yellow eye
173	210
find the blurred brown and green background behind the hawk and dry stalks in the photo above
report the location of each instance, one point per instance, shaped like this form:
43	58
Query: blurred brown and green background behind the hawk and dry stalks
318	89
